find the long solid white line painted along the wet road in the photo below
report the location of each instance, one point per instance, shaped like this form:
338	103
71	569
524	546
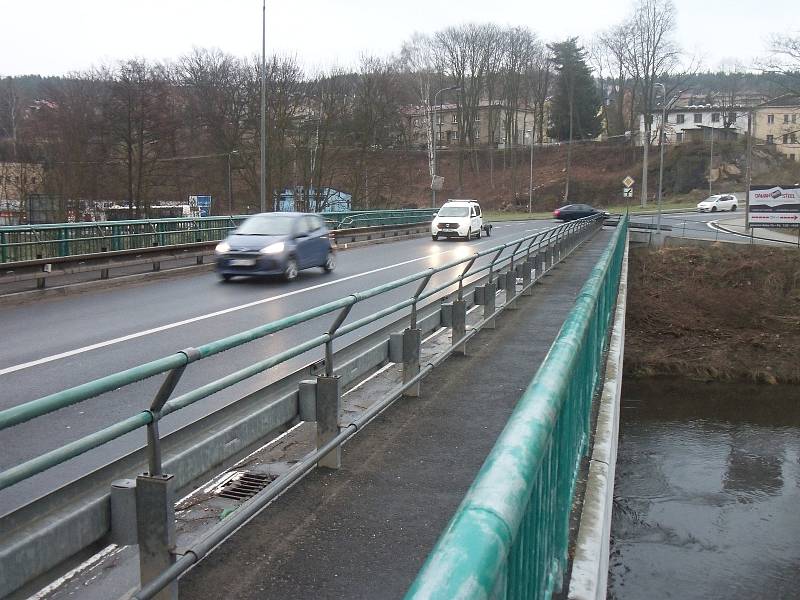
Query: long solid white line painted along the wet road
138	334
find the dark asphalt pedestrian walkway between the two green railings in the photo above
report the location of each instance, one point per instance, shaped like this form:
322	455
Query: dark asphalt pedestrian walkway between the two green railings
365	530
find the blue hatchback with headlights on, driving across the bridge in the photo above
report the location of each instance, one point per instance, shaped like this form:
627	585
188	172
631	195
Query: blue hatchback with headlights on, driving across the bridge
276	244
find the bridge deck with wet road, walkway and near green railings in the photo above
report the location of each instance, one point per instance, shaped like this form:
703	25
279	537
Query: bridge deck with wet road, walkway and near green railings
417	423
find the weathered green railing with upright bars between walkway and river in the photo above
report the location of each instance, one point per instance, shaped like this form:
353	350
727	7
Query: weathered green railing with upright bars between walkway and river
509	537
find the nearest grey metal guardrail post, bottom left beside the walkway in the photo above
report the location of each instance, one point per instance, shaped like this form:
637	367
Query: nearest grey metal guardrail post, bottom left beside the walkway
155	516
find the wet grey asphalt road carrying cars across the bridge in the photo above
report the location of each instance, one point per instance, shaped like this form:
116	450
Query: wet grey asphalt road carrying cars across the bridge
55	344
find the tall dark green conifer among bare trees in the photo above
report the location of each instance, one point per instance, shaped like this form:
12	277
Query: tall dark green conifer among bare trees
574	86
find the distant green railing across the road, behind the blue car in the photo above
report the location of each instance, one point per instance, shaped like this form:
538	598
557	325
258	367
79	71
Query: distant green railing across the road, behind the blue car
20	243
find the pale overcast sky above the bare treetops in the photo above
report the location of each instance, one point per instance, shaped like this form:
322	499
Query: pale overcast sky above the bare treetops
53	37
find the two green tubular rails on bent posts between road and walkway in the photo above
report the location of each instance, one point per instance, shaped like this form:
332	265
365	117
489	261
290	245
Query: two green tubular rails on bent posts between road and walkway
179	360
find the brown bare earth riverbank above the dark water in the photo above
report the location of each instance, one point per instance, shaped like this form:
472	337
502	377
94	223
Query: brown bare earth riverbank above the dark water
720	313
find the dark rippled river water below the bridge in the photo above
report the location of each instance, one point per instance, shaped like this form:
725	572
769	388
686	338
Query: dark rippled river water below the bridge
707	498
